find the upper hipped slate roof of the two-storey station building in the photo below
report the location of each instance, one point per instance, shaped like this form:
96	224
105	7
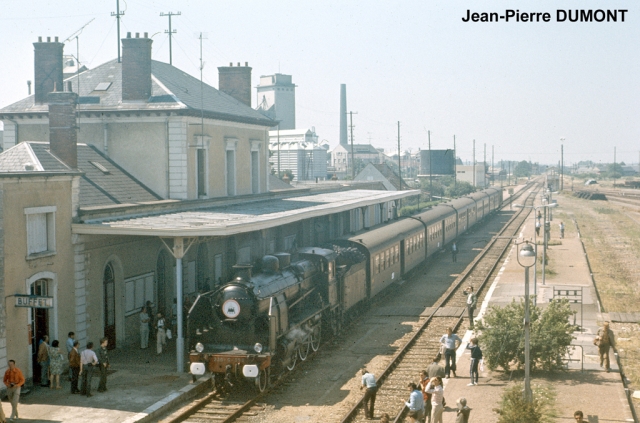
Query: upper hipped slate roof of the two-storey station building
171	90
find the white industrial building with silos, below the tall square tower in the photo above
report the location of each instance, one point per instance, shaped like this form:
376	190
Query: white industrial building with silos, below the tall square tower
300	152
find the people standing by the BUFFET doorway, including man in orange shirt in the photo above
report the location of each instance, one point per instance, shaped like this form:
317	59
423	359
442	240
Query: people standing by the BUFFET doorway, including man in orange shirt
51	361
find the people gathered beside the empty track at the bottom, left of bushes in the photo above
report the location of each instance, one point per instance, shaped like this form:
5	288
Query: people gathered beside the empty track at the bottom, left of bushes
426	397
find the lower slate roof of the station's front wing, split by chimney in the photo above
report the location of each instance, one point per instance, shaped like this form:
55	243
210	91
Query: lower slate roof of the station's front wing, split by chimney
107	186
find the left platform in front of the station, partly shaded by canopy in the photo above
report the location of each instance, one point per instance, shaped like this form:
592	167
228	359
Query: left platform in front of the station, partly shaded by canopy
141	386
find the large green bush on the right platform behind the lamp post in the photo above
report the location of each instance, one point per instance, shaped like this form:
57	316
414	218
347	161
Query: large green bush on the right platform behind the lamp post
502	336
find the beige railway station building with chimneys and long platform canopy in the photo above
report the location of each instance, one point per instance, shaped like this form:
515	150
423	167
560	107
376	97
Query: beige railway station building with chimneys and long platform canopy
139	187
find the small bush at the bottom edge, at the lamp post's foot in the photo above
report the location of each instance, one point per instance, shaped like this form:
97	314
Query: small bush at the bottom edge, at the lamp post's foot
514	409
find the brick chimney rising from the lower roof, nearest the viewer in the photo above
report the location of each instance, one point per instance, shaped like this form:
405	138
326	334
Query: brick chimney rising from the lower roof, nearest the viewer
63	130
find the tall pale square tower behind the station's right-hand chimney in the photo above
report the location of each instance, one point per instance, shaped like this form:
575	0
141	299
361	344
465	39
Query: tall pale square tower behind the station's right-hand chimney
277	99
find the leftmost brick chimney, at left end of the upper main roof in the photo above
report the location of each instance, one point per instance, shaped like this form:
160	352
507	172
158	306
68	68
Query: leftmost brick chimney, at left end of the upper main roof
47	68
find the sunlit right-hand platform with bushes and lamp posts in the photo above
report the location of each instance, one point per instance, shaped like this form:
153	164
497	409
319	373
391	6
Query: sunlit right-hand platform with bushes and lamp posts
584	385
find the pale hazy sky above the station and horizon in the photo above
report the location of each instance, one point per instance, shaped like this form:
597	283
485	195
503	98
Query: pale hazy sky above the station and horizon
517	87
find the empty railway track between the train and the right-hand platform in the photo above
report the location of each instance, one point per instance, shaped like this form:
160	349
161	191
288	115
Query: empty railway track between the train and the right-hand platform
449	312
